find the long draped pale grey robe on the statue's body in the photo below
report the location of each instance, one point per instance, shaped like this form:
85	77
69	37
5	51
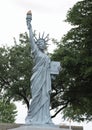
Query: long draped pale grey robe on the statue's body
39	112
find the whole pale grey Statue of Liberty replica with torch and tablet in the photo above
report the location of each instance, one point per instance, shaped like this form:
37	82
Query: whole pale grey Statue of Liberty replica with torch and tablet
39	113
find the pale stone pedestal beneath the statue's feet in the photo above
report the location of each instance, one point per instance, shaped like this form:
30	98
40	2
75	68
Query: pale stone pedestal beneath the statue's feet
30	127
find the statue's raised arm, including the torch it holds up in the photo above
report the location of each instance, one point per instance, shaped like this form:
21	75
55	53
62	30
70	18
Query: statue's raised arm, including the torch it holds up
32	41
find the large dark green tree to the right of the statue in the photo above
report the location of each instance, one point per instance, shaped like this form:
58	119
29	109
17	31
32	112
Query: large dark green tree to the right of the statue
75	54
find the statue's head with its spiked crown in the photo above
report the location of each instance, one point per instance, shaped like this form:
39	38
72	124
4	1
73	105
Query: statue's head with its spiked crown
42	41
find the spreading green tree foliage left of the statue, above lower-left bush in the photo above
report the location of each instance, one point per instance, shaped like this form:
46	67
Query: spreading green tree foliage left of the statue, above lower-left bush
16	69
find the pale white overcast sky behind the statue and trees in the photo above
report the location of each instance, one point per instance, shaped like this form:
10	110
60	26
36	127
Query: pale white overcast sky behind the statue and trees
47	15
